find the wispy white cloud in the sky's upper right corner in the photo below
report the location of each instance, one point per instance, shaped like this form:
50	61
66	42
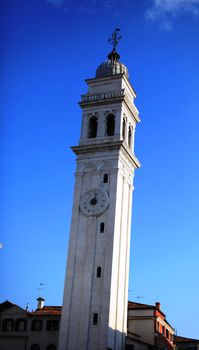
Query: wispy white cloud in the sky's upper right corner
166	10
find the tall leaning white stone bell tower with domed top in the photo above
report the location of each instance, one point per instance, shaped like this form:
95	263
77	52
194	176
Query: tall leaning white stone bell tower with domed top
94	315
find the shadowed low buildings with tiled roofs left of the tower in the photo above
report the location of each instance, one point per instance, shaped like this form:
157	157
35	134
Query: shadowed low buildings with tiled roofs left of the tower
21	329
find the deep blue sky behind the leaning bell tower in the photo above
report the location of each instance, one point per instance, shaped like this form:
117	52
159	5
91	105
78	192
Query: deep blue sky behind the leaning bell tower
48	48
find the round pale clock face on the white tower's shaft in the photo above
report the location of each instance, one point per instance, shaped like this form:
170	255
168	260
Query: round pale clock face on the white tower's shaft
94	202
